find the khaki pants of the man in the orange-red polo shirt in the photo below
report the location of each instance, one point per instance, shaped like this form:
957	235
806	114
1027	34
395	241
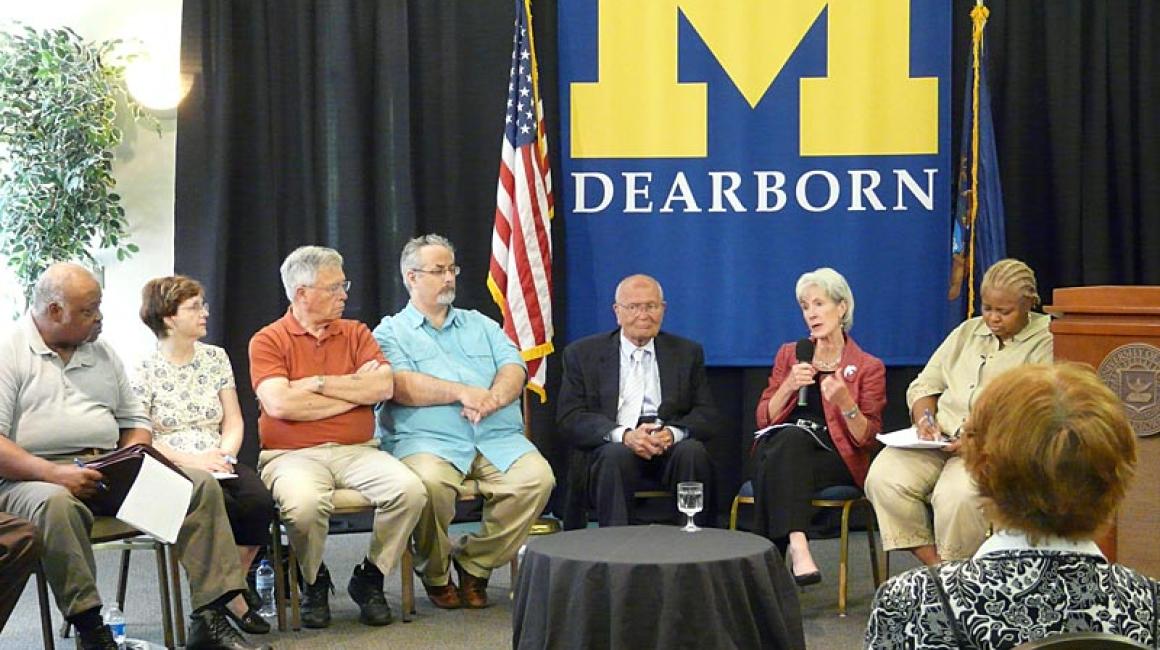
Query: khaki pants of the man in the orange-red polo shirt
303	483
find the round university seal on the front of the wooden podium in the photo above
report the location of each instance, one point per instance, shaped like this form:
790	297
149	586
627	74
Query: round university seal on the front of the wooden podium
1133	372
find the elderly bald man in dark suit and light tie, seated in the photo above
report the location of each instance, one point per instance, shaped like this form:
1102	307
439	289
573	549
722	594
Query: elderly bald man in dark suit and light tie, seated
637	405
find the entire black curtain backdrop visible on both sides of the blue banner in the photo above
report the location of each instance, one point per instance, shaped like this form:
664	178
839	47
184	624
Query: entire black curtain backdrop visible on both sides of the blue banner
359	125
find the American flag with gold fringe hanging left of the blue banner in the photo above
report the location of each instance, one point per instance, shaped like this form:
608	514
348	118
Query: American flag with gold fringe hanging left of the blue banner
520	278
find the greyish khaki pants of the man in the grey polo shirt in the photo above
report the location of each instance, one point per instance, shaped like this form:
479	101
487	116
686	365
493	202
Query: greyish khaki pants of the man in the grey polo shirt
205	544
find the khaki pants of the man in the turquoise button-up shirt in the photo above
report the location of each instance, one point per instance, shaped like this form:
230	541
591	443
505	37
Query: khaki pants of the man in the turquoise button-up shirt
513	500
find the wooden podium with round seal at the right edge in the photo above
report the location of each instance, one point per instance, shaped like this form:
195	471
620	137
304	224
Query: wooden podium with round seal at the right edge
1116	330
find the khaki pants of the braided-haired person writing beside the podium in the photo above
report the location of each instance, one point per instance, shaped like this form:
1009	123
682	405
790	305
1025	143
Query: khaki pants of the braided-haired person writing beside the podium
901	486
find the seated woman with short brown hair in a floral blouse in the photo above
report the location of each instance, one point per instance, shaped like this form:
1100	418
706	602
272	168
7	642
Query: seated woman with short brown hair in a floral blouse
188	389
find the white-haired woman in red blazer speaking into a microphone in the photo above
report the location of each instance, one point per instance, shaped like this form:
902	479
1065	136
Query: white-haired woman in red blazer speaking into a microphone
824	402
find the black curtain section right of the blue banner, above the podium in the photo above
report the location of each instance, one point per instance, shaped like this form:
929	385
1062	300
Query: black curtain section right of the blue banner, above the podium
1076	90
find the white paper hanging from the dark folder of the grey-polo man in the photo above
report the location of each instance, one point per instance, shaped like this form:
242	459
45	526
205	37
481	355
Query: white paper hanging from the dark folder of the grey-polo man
158	501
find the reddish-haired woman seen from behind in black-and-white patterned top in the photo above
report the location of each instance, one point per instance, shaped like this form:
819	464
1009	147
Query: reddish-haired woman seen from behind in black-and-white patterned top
1053	454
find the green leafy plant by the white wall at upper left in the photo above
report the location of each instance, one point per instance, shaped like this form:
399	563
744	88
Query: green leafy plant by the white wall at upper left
59	97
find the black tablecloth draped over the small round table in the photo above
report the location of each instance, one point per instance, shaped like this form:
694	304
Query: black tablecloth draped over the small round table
655	587
